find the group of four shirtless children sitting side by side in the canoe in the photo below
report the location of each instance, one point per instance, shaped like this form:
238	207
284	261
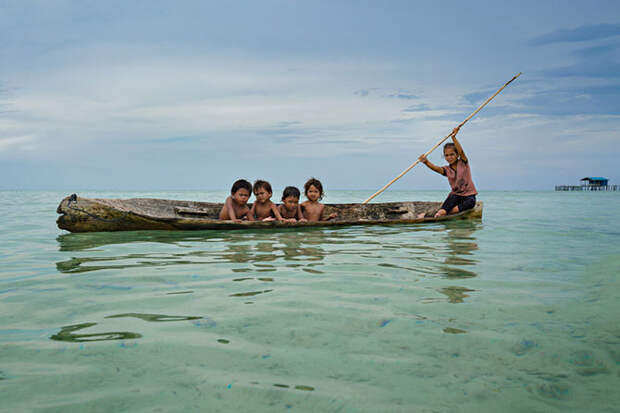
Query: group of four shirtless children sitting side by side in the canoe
263	209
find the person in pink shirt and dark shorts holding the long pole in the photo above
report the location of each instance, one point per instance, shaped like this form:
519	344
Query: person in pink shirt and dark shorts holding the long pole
463	194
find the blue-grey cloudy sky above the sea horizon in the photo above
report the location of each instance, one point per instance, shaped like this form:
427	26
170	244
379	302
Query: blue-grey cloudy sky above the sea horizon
131	95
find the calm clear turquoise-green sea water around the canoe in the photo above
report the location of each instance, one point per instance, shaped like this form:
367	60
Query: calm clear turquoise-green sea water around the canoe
516	312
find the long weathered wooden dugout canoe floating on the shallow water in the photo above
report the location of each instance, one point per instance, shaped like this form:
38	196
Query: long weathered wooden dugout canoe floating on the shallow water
95	215
